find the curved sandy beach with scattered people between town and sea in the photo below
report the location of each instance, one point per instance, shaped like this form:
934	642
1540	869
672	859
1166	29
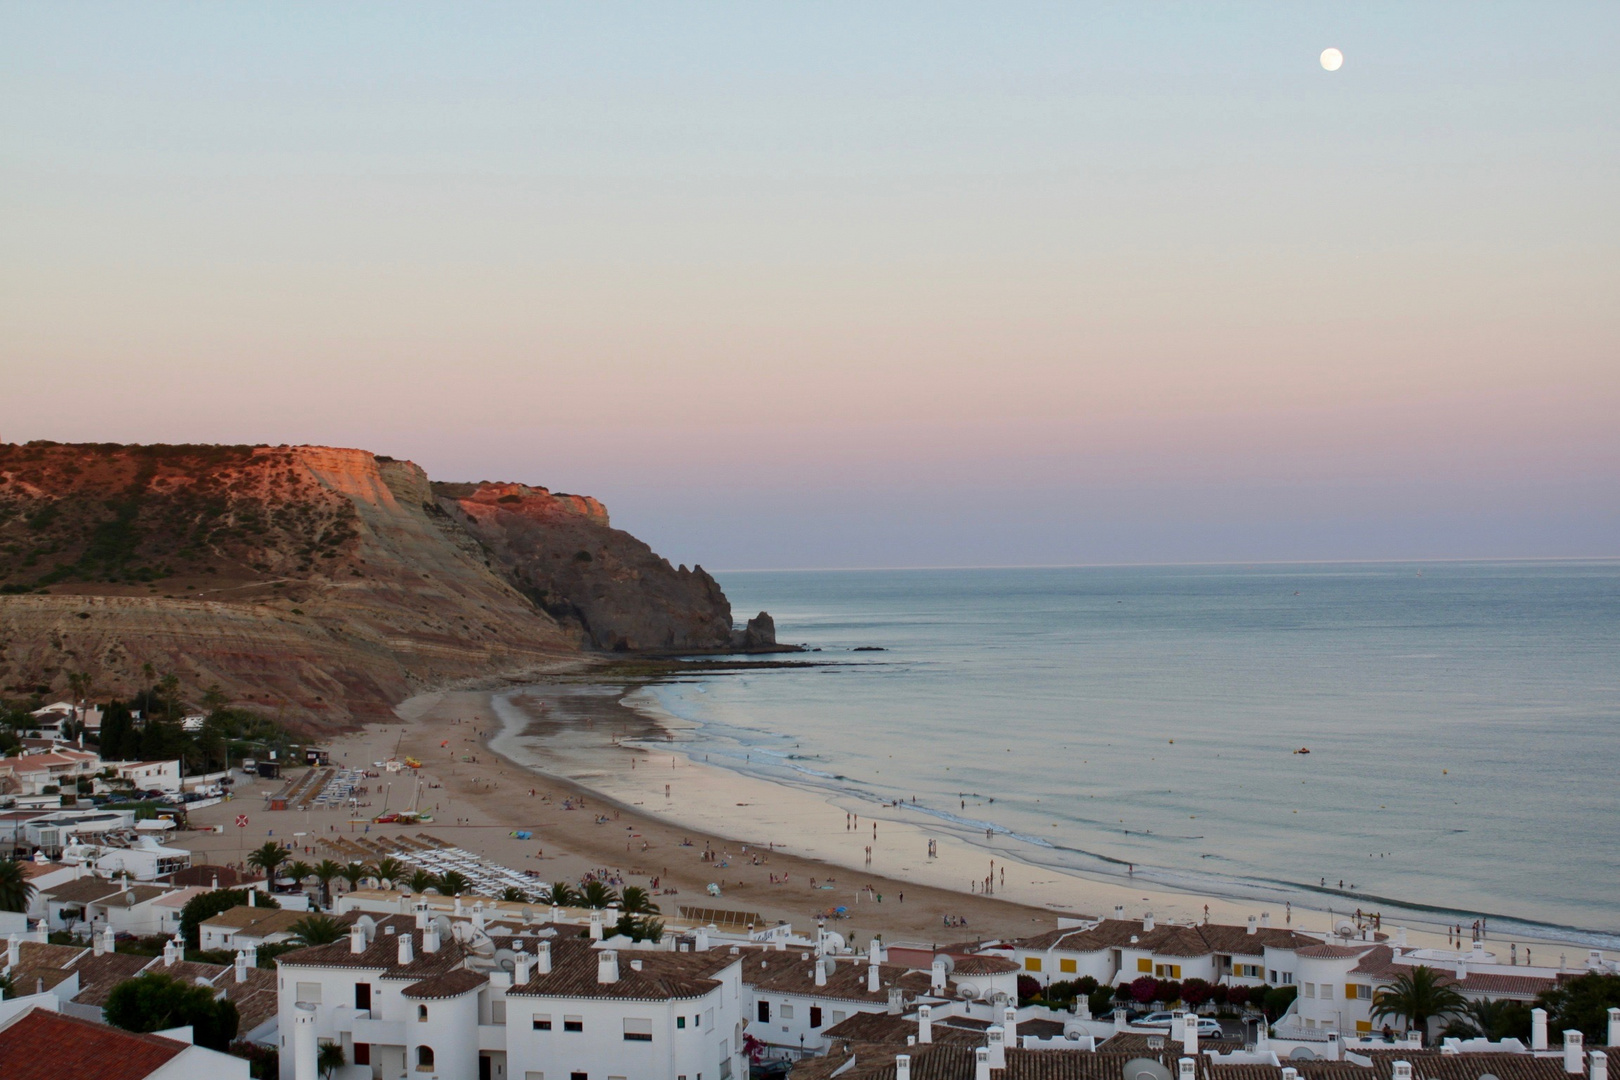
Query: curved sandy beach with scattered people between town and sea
587	776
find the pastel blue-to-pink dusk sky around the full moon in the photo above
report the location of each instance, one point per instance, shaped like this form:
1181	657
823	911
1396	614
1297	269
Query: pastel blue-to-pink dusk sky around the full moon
850	286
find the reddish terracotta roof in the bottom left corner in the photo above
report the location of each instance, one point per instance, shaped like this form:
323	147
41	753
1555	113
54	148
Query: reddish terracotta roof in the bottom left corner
51	1045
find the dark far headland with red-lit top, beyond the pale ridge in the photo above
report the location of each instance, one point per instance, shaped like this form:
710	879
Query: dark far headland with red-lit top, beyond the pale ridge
563	553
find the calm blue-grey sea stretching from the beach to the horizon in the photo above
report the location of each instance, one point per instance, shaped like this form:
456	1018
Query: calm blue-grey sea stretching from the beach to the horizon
1462	723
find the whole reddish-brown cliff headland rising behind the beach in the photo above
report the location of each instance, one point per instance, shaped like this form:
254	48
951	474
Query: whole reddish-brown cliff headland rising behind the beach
320	584
